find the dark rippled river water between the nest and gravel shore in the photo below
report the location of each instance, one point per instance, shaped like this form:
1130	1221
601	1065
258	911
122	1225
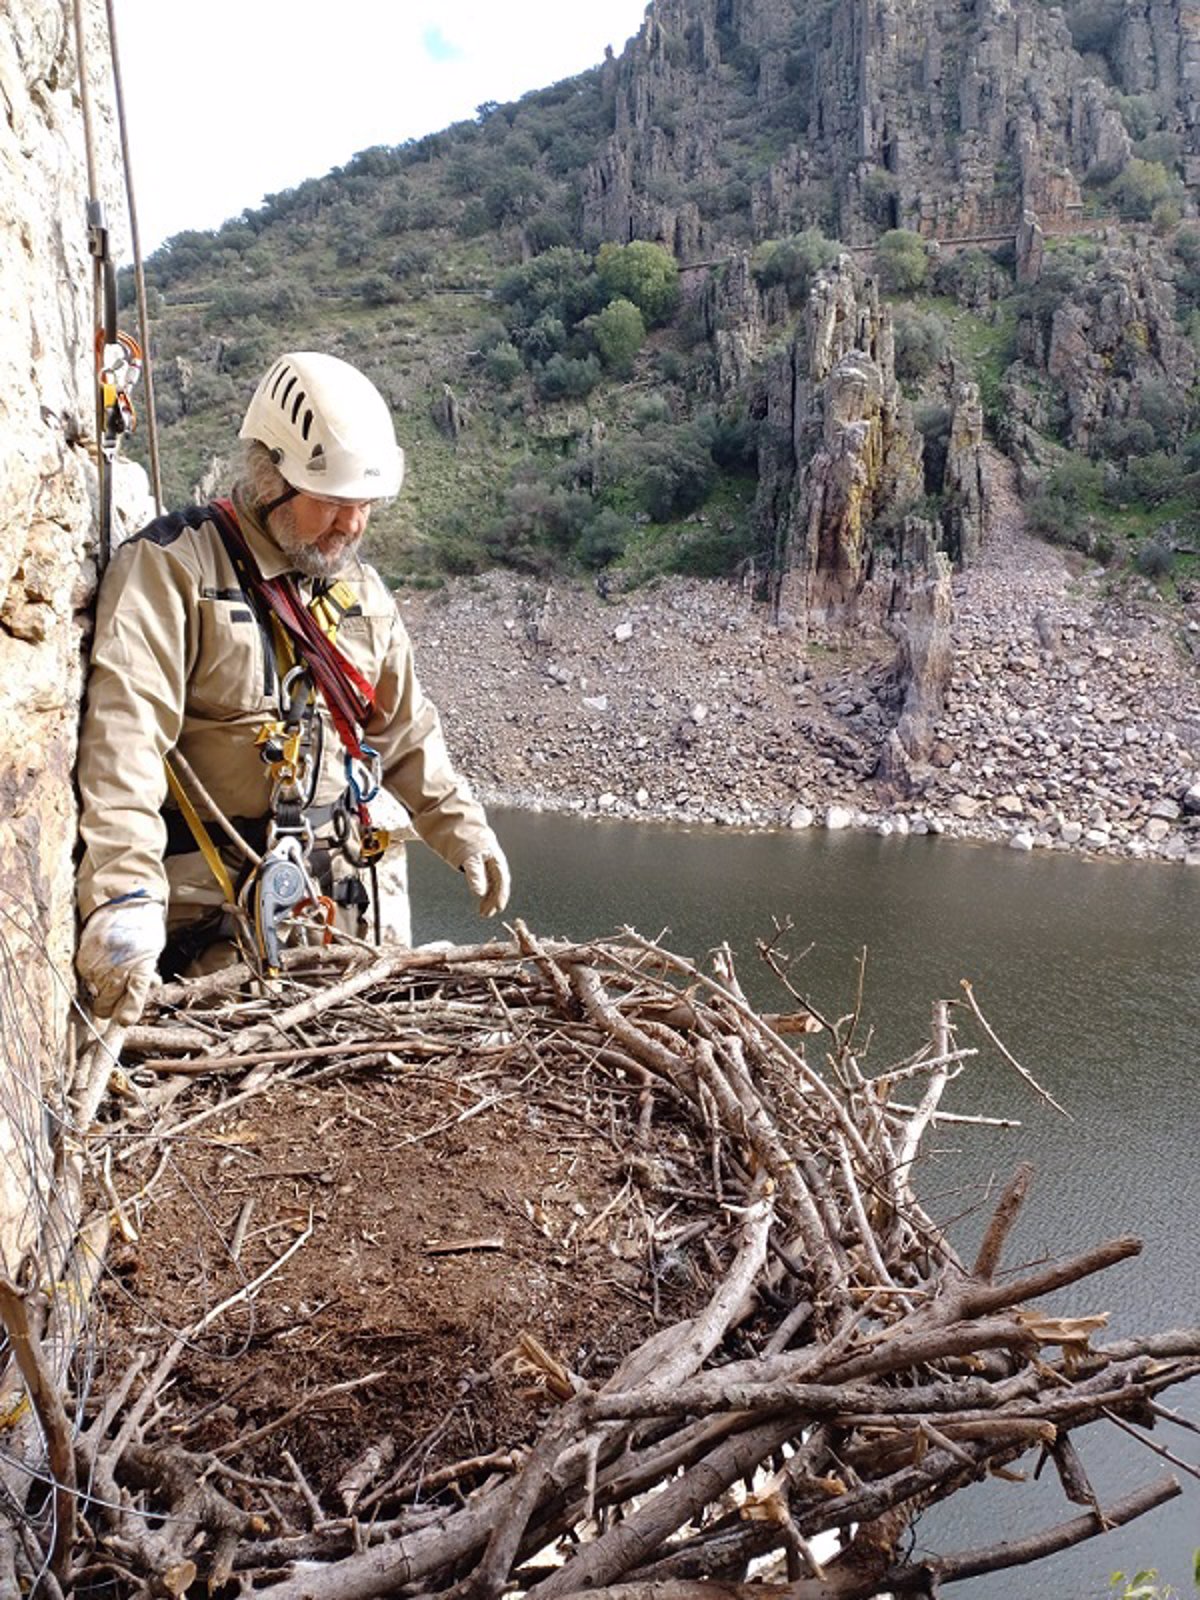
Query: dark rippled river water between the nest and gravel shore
1090	972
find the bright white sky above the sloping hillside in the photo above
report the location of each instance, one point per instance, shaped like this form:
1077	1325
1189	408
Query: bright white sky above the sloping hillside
241	98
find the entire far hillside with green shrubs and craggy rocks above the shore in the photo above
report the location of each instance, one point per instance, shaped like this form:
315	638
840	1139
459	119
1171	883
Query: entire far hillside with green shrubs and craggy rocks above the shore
631	297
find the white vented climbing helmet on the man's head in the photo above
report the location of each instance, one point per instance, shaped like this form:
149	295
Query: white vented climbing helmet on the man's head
327	428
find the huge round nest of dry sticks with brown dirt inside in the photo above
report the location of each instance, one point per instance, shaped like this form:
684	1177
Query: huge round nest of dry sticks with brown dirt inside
530	1266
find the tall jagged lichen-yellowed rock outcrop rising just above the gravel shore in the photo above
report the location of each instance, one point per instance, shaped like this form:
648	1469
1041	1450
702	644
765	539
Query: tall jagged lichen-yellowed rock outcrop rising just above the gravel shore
839	444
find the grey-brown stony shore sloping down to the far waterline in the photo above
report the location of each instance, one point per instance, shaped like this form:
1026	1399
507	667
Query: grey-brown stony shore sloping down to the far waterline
1073	719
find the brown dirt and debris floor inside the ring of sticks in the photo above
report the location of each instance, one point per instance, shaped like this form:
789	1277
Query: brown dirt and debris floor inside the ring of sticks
449	1217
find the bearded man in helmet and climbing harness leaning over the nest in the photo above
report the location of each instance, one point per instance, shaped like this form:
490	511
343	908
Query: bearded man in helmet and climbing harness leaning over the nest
252	690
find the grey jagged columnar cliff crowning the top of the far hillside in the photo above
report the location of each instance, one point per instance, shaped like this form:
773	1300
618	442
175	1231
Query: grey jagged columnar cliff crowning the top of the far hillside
926	114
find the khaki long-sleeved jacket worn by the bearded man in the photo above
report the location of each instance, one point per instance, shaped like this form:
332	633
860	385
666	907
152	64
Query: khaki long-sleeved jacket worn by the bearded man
180	662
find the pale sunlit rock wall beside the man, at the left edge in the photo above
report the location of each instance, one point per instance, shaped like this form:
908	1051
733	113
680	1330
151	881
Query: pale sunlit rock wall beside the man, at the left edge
46	534
